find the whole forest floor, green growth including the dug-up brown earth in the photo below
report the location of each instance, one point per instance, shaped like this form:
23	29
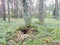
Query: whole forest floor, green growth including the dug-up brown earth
16	33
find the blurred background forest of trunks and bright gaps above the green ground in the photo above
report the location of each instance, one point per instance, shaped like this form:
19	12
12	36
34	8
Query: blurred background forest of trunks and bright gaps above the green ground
15	9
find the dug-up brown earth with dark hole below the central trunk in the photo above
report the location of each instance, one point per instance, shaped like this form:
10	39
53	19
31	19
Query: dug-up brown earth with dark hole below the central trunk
21	35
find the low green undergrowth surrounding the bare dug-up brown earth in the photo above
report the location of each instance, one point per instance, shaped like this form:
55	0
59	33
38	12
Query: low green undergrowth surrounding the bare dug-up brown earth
46	33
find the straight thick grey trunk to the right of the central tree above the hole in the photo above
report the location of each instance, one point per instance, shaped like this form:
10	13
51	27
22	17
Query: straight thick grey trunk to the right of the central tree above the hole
41	11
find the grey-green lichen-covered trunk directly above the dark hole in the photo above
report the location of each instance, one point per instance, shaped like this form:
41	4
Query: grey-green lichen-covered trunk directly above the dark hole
26	12
